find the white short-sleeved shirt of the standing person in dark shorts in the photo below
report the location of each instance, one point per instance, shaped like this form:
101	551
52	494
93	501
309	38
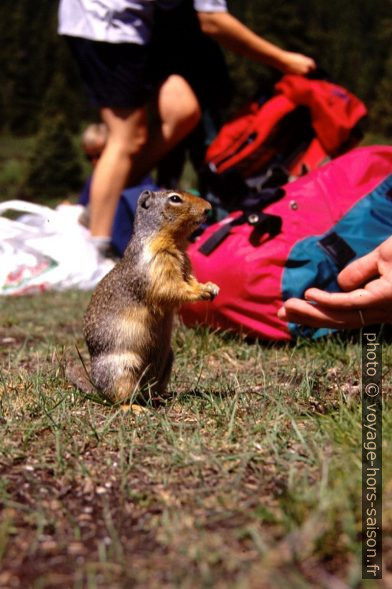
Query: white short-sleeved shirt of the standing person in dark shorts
119	21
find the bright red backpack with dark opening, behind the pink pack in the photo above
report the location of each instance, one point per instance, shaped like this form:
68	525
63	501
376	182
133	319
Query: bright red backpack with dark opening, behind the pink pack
304	123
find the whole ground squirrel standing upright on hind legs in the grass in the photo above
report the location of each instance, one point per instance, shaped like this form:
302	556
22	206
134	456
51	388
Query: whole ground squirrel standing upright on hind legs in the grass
128	322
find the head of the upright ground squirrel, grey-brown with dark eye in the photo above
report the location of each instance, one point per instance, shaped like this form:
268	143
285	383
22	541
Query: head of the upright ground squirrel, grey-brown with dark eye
174	212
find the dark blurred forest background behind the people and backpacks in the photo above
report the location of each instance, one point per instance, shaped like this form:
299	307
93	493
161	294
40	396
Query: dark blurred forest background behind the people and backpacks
43	105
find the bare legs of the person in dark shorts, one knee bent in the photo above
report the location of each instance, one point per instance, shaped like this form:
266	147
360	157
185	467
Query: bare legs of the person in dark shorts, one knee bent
131	152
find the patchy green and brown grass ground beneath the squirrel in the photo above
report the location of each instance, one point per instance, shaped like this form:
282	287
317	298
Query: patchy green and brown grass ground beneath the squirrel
248	477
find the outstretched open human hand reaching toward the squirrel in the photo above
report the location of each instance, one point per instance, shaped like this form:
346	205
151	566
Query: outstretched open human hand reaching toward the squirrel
367	300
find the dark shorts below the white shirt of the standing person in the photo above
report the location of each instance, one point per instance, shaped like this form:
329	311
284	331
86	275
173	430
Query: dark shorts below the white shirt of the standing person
114	73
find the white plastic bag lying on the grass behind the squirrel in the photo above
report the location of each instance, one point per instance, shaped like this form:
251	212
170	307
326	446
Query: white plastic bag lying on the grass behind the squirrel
46	249
